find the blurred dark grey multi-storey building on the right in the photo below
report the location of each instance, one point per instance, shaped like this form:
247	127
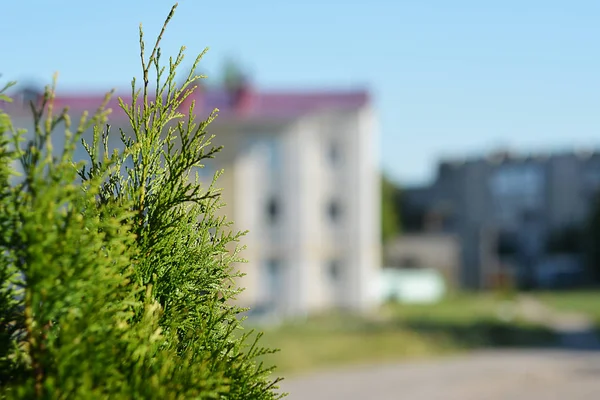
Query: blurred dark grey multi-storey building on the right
504	208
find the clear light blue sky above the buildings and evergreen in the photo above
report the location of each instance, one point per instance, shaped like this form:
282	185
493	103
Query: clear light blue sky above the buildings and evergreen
449	78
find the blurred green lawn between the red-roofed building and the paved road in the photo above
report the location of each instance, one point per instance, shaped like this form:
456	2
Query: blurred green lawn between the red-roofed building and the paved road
398	332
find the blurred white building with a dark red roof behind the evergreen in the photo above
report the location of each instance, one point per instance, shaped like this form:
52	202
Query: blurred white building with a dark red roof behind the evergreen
301	174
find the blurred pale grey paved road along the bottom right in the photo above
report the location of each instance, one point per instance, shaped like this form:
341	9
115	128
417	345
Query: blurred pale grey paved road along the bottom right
494	375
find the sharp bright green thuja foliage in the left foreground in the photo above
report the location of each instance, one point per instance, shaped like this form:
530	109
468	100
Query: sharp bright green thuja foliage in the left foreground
116	274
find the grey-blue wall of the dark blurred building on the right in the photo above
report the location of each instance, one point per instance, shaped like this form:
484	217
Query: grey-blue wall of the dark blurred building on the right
567	183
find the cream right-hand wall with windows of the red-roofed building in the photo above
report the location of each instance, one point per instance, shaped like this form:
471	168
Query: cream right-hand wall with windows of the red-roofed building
332	257
